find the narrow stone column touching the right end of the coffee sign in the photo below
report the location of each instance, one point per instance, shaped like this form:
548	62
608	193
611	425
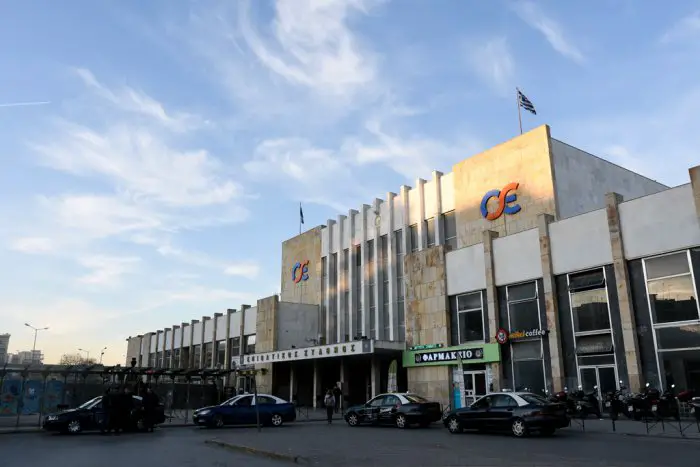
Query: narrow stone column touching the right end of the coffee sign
551	305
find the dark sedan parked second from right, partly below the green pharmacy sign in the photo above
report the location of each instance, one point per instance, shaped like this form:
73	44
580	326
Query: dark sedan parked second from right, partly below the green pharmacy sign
399	409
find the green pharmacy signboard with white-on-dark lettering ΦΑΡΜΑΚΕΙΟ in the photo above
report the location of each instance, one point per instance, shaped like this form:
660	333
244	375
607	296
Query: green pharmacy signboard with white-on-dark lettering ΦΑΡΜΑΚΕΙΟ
469	353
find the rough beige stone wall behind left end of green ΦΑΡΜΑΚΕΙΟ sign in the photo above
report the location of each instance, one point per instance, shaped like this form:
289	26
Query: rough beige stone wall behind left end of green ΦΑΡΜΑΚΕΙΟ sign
427	319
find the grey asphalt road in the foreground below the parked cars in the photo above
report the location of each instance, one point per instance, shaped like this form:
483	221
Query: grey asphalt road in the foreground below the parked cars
340	445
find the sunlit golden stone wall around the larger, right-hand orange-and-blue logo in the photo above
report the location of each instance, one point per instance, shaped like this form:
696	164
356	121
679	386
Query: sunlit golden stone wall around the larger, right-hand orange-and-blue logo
525	160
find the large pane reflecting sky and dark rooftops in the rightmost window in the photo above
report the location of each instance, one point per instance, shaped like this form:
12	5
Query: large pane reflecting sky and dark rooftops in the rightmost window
673	299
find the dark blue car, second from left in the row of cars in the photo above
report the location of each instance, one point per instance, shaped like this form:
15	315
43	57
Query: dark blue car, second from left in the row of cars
241	410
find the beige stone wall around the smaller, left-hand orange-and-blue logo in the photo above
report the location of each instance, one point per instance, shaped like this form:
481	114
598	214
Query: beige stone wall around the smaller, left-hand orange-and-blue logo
306	246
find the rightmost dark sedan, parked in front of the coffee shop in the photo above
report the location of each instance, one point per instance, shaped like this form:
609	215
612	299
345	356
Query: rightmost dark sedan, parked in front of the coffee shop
518	412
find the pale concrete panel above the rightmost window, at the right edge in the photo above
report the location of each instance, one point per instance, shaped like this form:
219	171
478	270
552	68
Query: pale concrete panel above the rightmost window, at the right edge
659	223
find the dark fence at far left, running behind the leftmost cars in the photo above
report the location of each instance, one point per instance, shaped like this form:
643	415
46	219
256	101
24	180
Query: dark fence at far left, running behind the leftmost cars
26	394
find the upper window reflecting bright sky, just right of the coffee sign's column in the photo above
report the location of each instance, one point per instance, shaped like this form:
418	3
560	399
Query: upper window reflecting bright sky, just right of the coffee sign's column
589	301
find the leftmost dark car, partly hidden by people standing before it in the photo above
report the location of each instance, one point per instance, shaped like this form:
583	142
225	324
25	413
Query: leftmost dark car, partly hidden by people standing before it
89	416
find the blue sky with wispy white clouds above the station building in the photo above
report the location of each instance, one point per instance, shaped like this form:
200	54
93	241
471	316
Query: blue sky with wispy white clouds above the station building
180	138
